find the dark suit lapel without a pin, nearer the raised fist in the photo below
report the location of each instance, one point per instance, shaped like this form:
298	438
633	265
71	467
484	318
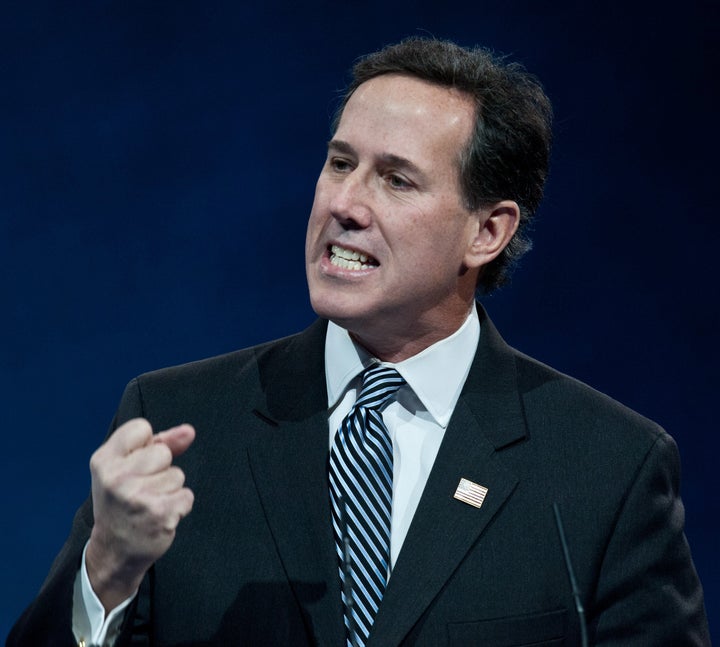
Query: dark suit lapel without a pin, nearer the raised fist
289	466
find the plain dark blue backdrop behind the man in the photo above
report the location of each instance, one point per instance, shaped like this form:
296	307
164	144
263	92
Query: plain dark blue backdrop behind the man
157	166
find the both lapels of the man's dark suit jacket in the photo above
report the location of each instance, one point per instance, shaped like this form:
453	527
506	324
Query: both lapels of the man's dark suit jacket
289	464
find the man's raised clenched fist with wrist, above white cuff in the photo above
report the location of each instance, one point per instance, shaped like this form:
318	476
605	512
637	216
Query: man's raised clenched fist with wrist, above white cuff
138	500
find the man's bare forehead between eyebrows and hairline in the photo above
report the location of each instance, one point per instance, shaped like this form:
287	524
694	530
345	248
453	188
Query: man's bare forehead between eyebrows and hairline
408	116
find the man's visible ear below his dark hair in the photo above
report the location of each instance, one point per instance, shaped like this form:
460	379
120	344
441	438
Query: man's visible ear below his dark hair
493	227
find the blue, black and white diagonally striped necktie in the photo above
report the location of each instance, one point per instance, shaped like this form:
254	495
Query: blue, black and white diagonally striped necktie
361	471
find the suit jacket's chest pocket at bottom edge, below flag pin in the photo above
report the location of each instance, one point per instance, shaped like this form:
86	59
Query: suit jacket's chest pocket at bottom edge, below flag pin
536	630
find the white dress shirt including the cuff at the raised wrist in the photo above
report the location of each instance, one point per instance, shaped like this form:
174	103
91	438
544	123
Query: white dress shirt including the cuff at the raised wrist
416	420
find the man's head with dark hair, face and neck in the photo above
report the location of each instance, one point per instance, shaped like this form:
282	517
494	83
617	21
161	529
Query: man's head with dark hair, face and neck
400	233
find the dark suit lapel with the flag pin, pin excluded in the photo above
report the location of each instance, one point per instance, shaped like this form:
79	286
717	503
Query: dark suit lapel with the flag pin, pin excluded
487	417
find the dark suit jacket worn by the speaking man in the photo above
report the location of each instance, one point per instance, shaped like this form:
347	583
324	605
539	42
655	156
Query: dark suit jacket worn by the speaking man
255	564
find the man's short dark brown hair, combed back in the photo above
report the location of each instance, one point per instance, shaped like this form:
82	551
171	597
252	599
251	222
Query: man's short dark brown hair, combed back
507	156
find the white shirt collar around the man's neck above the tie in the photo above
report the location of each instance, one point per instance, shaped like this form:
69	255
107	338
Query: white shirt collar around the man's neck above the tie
449	358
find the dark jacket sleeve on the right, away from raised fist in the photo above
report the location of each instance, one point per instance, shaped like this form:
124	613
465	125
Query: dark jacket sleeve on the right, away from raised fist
648	591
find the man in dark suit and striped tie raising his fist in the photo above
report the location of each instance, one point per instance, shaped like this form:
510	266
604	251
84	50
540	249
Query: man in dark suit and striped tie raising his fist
435	167
